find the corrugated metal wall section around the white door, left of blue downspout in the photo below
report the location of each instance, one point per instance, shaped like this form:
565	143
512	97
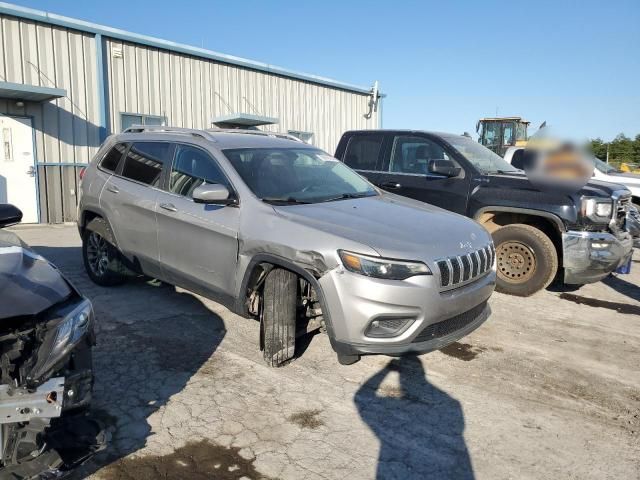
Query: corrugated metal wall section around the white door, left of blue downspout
66	129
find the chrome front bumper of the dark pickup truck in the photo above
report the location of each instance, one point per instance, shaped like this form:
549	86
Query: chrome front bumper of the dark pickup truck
588	257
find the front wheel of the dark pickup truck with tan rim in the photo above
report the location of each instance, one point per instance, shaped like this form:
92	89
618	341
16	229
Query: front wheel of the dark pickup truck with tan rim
526	259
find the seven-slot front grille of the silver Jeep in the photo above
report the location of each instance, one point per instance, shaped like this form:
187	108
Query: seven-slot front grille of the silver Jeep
455	271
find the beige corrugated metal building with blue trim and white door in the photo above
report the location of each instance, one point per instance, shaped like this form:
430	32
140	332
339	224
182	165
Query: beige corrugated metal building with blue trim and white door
66	84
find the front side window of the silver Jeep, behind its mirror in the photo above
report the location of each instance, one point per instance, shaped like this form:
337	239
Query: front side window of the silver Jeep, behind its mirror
191	168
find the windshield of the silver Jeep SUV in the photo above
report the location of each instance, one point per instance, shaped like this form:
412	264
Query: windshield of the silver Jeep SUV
297	175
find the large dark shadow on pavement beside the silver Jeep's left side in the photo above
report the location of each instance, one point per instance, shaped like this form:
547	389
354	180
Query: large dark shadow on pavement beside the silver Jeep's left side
151	339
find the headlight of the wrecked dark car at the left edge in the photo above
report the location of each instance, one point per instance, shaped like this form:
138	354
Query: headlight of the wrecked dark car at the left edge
62	338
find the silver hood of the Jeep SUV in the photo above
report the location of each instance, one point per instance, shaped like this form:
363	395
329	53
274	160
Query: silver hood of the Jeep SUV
394	226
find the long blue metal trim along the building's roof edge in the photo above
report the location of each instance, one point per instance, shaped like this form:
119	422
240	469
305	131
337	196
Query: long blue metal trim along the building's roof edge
52	18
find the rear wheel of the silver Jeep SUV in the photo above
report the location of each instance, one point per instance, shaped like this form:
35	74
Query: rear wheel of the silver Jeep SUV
102	259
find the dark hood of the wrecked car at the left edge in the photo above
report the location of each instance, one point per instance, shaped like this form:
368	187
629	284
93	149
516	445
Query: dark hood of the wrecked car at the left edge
29	283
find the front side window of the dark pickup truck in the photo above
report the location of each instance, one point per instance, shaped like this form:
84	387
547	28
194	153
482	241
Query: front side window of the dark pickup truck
413	154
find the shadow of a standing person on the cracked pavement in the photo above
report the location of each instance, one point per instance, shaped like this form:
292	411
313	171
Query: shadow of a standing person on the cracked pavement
419	426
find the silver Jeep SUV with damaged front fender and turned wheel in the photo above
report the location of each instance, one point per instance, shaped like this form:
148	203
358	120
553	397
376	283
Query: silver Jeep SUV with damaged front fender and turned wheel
278	230
